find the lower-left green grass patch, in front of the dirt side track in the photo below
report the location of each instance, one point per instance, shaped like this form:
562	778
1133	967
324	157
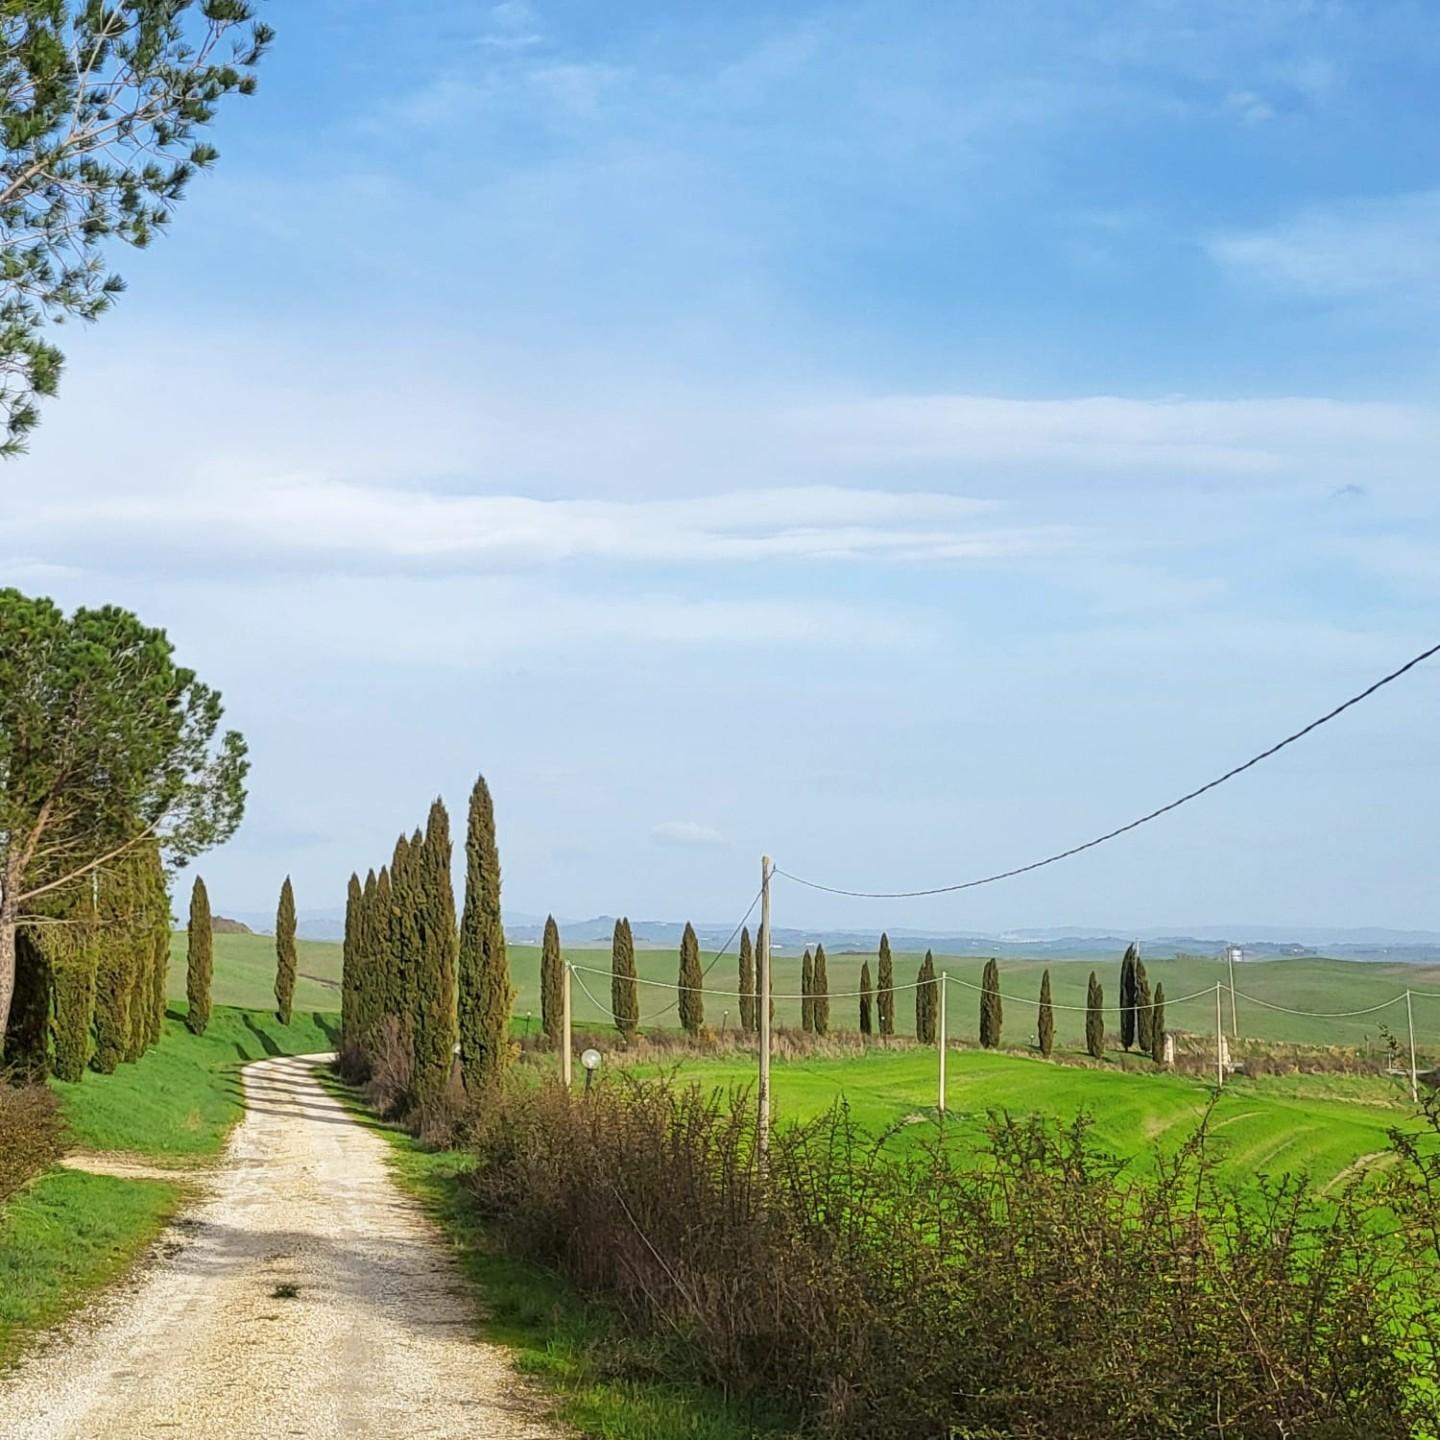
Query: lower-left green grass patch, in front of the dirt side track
67	1236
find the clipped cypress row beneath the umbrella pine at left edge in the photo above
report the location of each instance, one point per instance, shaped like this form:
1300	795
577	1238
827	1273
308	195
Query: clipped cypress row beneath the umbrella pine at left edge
91	974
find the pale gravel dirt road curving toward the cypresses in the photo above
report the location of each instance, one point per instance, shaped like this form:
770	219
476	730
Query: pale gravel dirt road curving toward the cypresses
377	1340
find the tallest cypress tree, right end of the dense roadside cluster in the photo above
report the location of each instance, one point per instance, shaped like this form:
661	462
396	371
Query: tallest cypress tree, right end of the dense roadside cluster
486	994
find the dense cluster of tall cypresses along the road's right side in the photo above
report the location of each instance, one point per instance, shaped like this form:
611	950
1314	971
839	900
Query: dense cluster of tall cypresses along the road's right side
417	980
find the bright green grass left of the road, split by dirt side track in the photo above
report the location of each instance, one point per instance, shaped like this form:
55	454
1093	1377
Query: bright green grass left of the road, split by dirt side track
71	1233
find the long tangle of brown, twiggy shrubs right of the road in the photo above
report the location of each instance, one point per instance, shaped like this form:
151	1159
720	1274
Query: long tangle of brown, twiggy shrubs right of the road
875	1290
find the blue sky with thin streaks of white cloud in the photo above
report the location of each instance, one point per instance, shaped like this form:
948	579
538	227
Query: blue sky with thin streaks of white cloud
906	438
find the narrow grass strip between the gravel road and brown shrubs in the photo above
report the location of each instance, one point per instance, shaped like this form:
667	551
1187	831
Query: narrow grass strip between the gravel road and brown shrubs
607	1385
